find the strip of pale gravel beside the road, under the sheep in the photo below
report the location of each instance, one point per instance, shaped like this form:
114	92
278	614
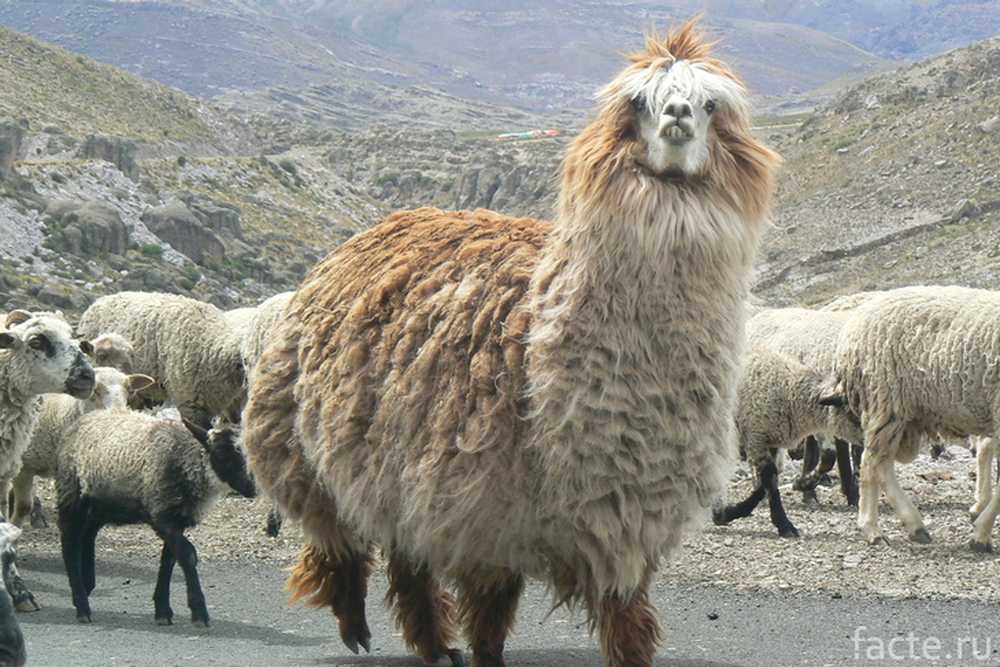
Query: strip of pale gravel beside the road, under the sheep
830	558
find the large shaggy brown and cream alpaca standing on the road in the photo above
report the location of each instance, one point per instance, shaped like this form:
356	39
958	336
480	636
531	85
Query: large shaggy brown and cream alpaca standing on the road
490	398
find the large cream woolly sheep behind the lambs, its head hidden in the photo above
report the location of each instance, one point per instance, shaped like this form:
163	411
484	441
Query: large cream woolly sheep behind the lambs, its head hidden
187	345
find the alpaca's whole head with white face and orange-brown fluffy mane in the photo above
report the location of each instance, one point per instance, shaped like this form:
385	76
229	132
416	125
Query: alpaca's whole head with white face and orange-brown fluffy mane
674	117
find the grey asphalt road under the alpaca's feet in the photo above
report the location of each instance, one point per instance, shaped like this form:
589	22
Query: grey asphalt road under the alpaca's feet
253	625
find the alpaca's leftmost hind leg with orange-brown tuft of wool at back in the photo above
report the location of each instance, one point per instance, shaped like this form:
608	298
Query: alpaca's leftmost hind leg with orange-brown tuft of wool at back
338	581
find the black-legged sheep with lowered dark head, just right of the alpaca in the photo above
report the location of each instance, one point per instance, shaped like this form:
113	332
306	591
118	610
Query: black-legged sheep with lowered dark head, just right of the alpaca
780	401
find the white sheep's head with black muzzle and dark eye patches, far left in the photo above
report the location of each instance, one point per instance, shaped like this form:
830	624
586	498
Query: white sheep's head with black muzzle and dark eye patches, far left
48	359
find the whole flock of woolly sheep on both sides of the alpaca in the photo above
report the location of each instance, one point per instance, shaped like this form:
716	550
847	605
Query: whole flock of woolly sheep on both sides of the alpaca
884	369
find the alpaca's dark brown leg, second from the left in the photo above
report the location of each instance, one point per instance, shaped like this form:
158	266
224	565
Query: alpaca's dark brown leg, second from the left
424	612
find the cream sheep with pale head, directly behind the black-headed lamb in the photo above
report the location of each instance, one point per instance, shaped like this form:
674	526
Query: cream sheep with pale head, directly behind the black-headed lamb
59	412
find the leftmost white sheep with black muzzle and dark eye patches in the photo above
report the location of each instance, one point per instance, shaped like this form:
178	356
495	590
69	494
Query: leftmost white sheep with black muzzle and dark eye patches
38	355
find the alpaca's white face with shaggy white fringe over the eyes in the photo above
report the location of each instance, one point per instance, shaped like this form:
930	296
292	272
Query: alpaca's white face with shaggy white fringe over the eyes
674	106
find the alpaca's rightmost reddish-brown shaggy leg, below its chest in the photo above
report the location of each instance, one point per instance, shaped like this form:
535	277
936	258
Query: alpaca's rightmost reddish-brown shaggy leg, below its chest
629	631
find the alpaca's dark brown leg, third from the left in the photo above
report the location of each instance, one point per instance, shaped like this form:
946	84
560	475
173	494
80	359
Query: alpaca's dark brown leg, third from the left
488	608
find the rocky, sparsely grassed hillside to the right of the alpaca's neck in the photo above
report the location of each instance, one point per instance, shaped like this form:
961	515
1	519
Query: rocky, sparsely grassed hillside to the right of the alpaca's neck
896	182
